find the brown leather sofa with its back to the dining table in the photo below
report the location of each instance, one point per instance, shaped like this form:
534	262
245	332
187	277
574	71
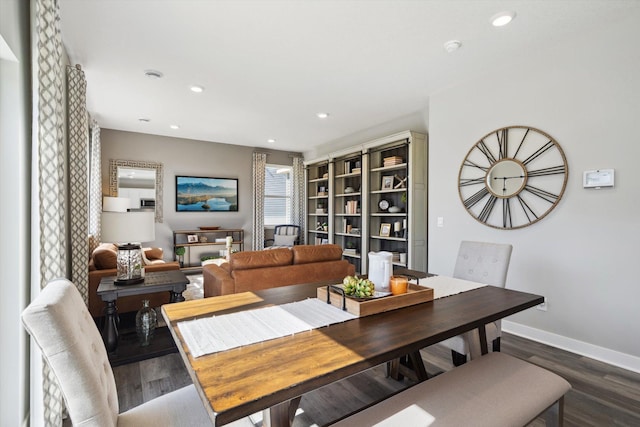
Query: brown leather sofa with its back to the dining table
255	270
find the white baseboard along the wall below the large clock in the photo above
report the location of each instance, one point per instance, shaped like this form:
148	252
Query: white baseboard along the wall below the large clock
612	357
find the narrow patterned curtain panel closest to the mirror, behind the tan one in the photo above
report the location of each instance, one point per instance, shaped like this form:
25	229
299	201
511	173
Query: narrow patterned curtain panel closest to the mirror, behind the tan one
95	187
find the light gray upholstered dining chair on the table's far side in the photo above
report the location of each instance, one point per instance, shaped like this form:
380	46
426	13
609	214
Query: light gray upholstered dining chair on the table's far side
486	263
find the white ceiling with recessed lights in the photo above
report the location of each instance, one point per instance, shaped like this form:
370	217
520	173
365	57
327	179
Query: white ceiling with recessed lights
269	66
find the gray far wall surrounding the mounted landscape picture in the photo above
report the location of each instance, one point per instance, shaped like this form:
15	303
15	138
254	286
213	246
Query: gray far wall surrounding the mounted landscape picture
189	157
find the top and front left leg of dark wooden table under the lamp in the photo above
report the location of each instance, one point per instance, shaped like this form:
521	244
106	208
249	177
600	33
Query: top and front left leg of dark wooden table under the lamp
173	281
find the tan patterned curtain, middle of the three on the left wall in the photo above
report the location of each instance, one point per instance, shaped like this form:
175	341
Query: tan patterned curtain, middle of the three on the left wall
78	135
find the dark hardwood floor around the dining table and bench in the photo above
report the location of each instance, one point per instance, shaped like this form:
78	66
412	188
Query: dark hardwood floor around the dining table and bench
602	395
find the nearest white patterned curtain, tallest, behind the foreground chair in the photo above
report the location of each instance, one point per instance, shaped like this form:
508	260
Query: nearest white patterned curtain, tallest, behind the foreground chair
49	147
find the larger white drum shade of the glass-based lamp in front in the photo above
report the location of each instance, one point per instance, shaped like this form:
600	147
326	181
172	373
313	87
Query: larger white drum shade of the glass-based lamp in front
128	227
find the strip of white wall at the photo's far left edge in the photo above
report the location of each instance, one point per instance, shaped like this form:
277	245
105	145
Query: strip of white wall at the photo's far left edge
14	213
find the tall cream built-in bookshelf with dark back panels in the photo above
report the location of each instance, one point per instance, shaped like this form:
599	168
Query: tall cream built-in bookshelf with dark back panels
376	200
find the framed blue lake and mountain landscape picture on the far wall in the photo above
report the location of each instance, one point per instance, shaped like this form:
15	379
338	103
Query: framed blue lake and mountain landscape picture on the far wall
204	194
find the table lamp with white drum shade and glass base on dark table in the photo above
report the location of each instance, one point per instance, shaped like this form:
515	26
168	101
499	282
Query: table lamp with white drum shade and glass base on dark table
127	230
